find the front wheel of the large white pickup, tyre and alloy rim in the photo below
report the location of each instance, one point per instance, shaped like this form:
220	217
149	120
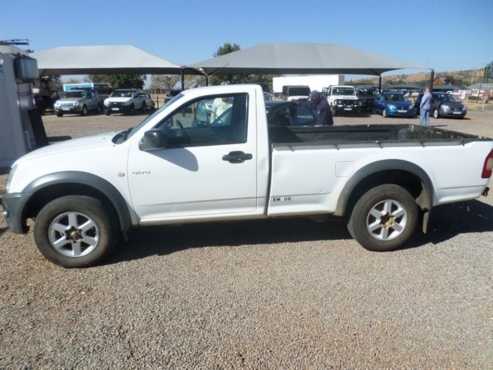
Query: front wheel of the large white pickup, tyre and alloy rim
53	221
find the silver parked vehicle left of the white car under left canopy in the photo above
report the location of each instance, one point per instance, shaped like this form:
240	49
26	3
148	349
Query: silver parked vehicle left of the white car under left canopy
77	101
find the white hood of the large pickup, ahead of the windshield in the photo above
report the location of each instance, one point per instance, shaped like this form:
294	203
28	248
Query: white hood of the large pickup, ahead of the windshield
70	146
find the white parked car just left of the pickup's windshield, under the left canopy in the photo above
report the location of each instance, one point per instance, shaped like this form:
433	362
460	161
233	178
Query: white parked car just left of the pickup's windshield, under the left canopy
128	101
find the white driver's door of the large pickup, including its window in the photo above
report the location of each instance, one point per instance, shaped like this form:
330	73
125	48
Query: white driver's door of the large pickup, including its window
207	169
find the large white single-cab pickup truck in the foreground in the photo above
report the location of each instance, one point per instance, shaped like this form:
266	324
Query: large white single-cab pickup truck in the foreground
211	154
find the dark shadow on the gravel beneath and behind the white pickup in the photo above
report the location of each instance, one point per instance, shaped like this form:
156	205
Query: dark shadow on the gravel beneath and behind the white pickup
446	222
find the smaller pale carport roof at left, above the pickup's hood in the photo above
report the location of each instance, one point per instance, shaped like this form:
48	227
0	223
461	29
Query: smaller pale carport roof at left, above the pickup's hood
101	59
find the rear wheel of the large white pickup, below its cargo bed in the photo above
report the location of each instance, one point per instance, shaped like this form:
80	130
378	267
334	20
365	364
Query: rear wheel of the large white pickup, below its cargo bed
362	218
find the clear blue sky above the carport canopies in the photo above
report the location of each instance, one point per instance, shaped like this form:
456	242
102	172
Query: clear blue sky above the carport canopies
446	35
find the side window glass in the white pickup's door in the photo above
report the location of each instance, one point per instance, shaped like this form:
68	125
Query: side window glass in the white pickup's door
210	120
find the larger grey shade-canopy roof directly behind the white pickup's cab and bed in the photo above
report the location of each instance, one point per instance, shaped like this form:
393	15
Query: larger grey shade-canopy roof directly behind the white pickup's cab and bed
302	58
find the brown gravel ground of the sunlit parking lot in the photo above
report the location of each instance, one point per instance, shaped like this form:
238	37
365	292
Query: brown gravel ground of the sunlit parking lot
284	294
